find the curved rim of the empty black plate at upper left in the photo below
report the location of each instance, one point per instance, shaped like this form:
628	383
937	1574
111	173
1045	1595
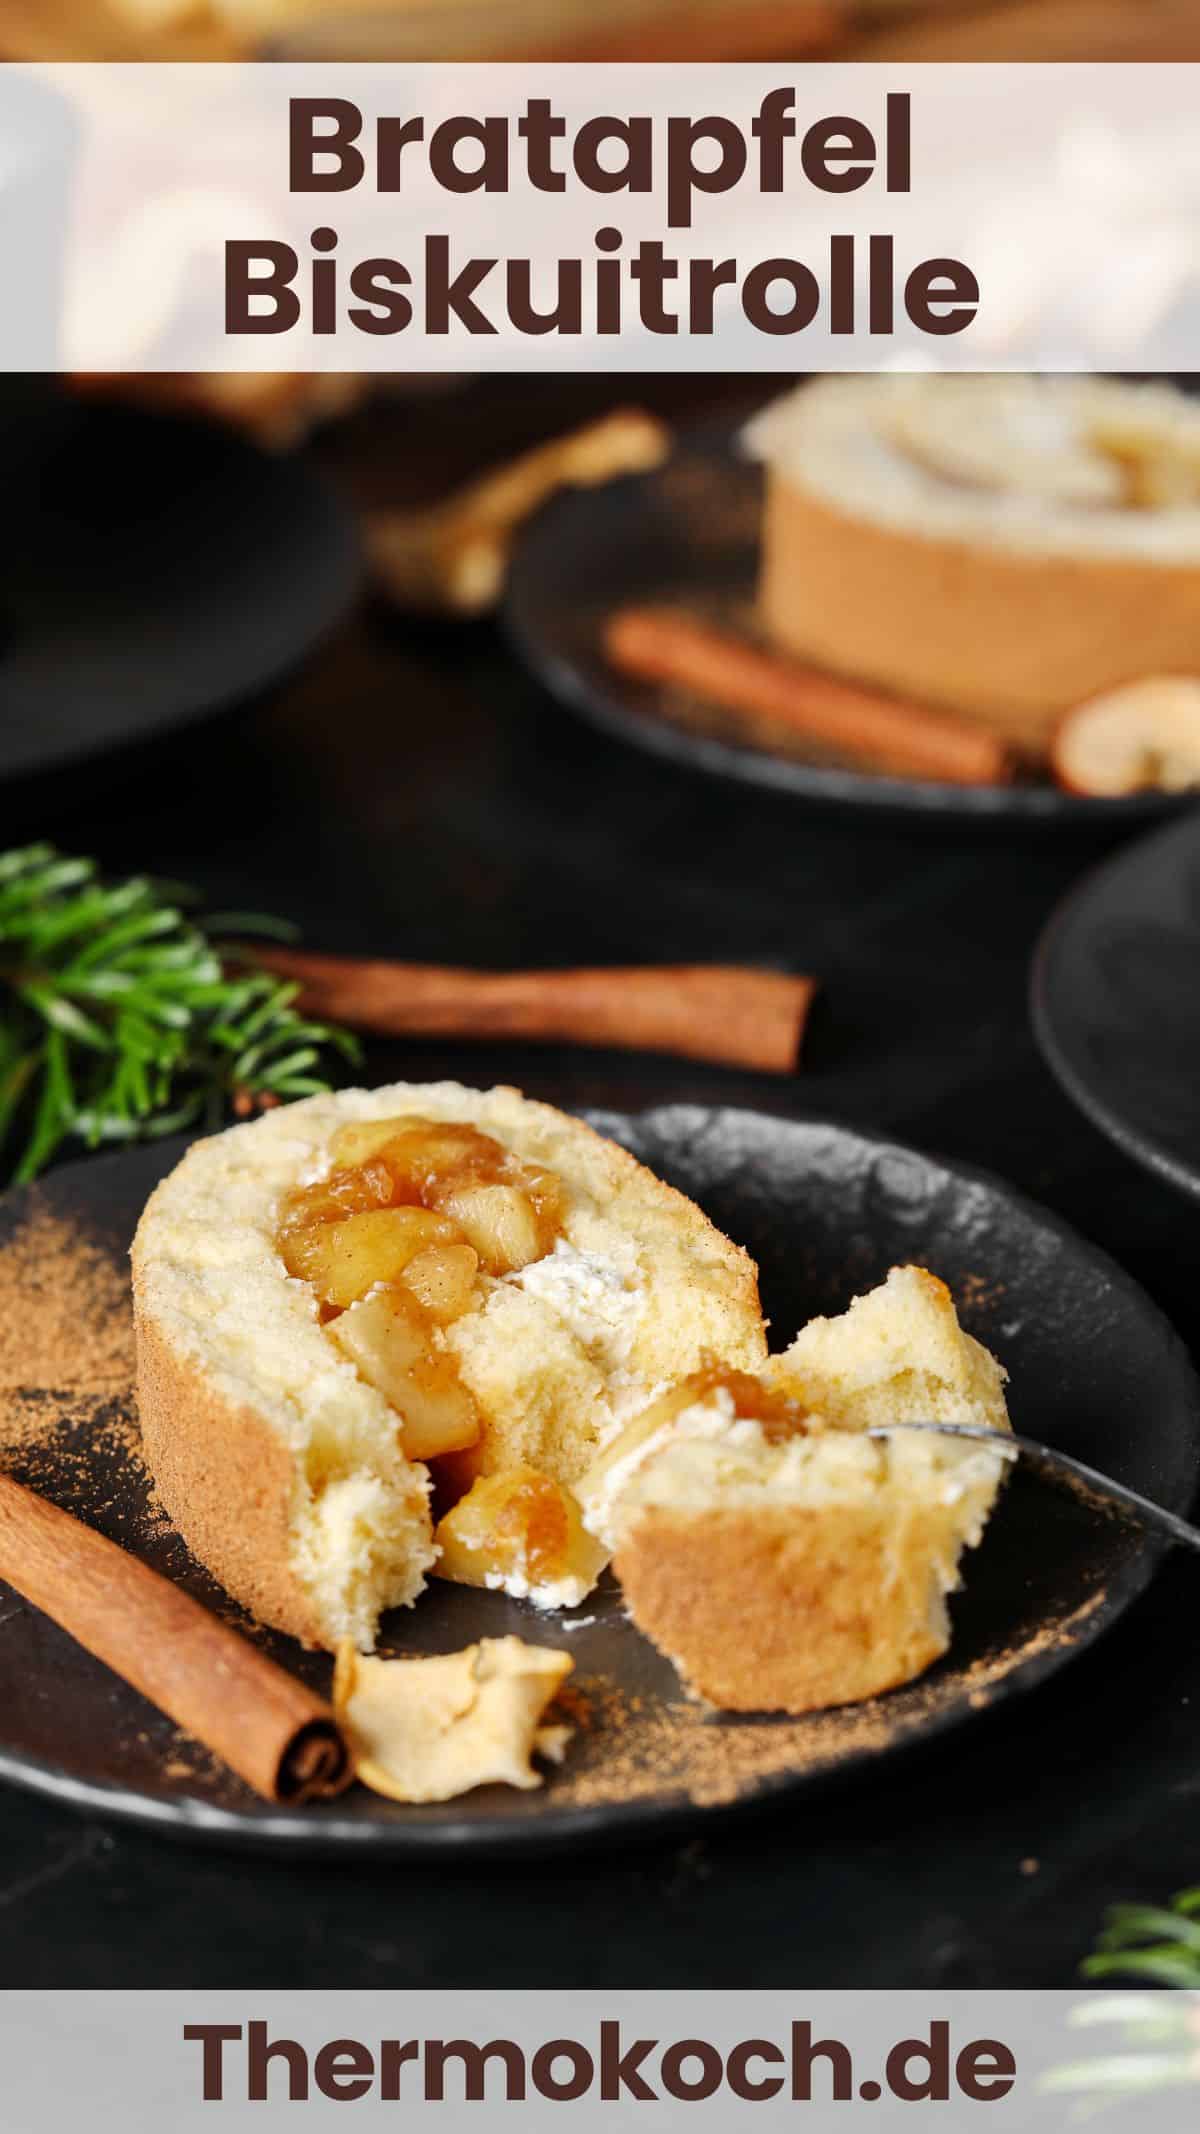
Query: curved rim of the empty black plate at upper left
270	673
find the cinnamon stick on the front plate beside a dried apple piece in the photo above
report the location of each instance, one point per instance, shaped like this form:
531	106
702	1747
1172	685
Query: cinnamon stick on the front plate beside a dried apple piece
277	1734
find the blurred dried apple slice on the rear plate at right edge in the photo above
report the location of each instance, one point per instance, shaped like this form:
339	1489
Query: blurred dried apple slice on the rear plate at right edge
1146	735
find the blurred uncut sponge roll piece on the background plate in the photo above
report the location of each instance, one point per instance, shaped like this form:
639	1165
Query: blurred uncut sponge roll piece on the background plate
1005	547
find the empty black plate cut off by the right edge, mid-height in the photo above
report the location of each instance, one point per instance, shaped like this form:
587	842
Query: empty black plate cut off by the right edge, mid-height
1118	1000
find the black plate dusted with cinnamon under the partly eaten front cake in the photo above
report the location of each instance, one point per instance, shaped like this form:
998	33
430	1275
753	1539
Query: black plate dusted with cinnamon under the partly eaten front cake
825	1211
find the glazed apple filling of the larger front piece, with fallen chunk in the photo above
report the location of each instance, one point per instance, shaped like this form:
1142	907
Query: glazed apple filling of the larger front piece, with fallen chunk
394	1243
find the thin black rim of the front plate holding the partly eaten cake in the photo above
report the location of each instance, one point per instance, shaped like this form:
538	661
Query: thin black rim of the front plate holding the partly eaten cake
323	1834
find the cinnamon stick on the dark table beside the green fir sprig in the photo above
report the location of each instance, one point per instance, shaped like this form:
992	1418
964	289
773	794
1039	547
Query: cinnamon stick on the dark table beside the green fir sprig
708	1013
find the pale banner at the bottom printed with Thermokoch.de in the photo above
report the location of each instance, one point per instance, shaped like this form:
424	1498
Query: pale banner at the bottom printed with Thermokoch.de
580	2063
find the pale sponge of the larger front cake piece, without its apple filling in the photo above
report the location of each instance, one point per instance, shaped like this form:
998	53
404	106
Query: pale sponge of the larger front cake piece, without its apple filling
283	1467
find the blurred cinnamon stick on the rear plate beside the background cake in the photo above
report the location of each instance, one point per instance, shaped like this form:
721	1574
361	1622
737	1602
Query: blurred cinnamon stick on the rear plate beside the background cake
906	739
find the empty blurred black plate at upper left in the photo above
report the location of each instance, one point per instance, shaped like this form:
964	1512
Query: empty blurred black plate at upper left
155	571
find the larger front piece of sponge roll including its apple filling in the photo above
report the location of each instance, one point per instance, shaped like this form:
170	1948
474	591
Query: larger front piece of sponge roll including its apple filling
351	1290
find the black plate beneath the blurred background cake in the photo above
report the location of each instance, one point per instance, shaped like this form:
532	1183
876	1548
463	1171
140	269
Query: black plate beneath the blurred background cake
689	535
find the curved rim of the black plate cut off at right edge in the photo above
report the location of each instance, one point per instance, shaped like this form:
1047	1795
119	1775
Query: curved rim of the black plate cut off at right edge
1054	942
